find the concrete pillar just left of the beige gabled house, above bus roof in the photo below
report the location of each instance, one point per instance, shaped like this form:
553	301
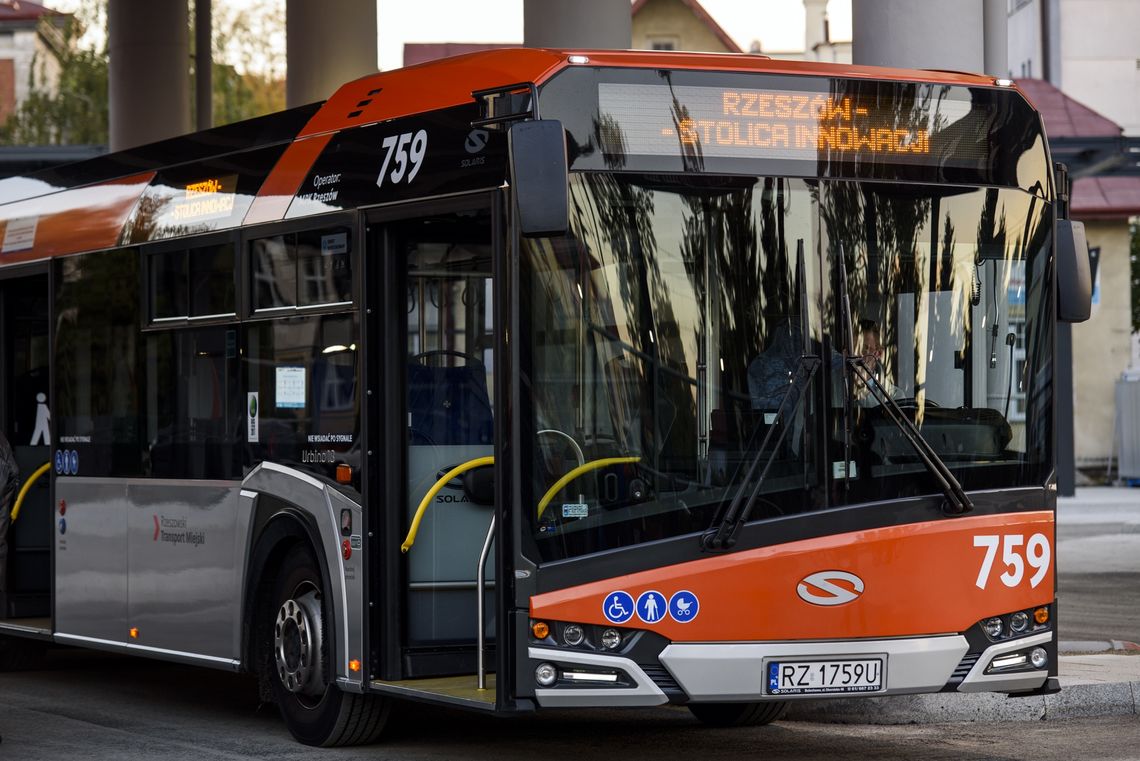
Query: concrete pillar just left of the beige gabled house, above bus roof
577	24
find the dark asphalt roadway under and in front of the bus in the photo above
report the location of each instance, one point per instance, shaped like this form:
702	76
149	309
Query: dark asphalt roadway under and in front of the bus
89	707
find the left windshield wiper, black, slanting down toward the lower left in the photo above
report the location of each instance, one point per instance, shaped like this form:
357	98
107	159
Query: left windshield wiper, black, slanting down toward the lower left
726	528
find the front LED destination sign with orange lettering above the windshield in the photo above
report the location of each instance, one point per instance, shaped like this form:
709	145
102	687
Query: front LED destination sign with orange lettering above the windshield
792	125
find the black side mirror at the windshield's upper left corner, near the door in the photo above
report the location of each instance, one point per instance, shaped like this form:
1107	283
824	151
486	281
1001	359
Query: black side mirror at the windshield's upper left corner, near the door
540	177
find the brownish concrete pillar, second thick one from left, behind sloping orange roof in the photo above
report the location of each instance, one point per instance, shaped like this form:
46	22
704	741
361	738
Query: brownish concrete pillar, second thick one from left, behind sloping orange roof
328	44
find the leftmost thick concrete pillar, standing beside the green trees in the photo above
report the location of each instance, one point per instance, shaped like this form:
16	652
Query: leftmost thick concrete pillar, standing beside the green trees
150	80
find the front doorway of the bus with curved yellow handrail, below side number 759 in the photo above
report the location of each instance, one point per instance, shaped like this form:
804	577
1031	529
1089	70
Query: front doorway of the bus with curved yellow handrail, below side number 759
439	421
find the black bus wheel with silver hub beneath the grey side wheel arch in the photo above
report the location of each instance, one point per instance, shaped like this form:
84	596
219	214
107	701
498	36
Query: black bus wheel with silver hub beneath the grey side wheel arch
316	711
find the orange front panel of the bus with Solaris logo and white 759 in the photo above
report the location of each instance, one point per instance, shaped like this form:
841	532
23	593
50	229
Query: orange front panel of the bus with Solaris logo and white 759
919	579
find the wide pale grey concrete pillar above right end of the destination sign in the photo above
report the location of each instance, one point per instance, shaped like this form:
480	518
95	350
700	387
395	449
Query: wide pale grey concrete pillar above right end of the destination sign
913	35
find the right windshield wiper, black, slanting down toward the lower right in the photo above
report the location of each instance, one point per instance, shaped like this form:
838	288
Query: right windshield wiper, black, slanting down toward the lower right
957	503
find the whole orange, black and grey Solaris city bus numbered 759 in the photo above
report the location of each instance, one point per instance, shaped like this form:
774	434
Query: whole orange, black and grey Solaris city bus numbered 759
534	380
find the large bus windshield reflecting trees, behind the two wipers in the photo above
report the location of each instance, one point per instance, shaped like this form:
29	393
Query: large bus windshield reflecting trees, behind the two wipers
665	330
